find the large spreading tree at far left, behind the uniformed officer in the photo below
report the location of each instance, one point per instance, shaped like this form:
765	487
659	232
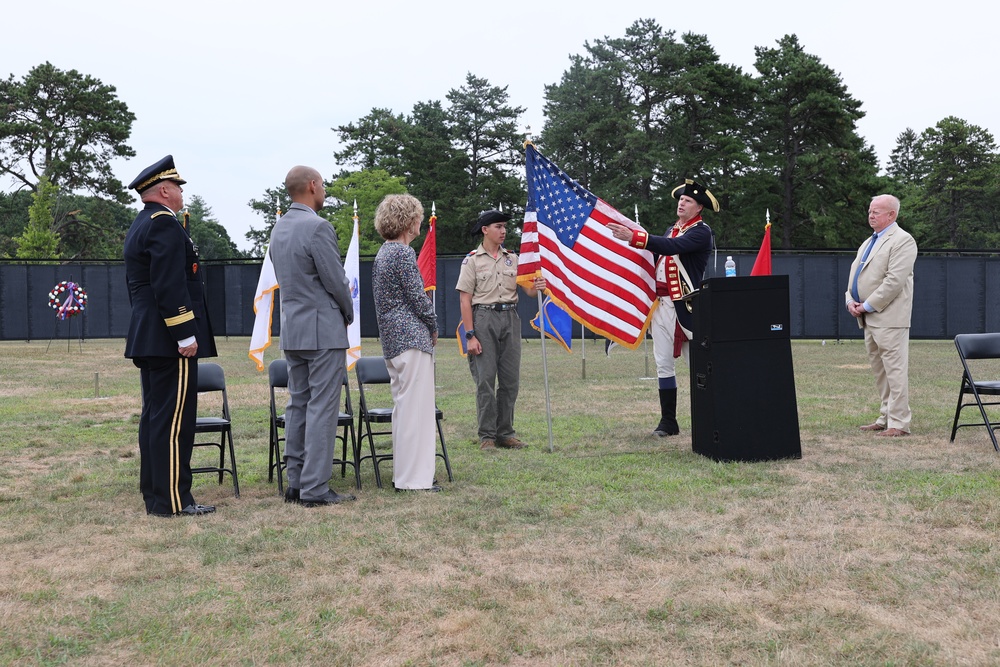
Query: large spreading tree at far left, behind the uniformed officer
66	127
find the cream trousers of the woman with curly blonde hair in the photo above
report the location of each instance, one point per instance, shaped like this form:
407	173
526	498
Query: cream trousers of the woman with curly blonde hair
414	427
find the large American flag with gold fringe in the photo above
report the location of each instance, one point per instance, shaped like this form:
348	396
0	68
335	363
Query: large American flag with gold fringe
603	283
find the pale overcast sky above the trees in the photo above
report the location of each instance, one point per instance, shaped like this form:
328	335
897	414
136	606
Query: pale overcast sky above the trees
240	92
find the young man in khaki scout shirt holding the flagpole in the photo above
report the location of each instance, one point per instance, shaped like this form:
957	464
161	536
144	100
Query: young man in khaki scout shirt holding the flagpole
487	286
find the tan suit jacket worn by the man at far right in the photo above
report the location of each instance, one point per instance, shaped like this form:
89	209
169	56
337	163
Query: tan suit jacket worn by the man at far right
886	280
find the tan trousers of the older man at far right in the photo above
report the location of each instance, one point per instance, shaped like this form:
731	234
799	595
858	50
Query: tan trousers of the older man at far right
889	356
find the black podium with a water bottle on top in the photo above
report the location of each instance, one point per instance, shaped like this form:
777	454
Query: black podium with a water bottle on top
742	385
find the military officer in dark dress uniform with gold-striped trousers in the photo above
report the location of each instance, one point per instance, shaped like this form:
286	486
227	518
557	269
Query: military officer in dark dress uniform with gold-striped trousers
168	332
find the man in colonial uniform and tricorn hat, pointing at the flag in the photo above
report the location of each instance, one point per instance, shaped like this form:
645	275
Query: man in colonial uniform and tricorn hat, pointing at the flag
681	255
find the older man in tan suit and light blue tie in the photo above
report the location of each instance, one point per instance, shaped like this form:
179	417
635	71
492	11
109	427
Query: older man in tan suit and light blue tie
880	296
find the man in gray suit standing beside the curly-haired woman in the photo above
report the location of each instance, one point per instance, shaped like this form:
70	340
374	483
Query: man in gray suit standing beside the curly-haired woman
316	309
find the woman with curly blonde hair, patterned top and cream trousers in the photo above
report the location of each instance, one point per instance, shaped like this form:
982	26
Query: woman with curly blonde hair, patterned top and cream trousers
407	328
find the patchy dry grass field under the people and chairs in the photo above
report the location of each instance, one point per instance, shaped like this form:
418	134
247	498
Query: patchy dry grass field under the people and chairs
617	548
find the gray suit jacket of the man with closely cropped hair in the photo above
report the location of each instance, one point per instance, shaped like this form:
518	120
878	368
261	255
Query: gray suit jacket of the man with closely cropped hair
316	304
